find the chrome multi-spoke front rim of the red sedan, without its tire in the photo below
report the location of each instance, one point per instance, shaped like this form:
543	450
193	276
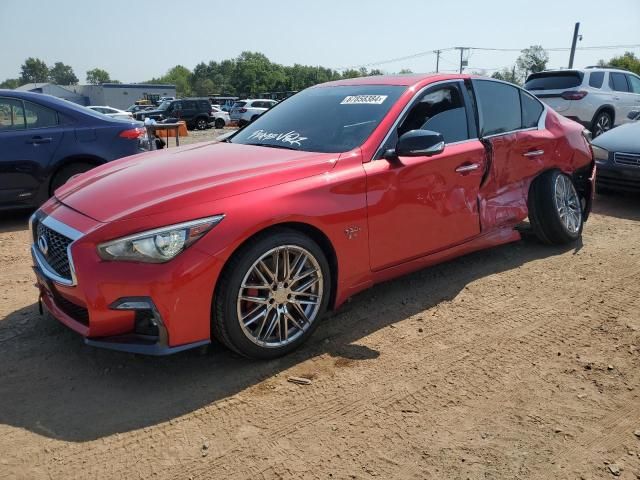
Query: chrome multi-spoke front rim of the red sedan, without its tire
280	296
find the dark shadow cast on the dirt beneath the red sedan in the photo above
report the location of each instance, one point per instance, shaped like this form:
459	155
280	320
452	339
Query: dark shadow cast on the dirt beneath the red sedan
55	386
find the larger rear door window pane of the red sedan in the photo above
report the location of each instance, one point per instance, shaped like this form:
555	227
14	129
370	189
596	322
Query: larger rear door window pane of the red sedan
498	107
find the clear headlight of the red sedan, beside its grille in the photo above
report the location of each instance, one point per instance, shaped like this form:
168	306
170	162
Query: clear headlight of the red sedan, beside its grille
159	245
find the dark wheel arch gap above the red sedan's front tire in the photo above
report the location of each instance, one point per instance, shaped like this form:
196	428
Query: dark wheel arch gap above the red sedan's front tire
307	229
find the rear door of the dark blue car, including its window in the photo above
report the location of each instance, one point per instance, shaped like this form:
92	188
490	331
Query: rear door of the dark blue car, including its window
30	134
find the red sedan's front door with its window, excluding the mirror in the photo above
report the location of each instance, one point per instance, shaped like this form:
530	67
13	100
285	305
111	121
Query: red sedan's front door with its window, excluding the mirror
421	205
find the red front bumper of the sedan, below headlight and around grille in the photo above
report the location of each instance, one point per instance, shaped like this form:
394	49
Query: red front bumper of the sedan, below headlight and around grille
153	309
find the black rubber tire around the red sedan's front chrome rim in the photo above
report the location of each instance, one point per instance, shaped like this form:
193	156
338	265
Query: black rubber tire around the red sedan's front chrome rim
225	324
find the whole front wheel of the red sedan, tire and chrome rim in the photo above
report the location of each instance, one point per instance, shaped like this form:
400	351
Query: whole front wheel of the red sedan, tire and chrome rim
271	295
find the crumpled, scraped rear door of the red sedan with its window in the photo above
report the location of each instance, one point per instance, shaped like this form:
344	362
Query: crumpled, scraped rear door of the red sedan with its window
512	126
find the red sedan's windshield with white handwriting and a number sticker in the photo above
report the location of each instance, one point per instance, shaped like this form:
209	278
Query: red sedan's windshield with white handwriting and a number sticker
322	119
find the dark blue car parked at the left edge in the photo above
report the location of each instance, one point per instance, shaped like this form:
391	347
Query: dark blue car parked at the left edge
44	141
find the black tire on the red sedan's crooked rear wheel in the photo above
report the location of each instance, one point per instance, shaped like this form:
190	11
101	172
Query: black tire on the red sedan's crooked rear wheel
544	214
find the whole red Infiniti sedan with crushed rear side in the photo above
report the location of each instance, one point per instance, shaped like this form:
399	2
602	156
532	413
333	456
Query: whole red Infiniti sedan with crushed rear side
250	240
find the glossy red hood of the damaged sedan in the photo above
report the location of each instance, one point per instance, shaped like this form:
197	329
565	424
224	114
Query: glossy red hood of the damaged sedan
176	178
